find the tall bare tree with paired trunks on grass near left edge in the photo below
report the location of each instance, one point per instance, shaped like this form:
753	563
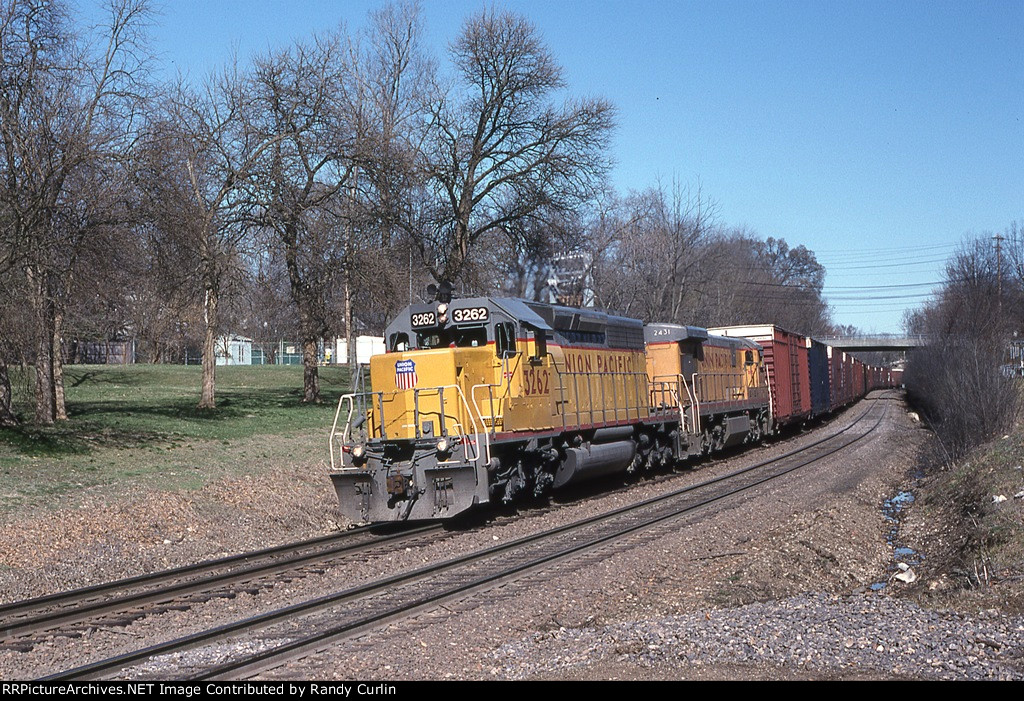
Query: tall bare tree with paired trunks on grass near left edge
67	106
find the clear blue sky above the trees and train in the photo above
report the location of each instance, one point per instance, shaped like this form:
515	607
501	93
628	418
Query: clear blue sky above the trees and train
878	135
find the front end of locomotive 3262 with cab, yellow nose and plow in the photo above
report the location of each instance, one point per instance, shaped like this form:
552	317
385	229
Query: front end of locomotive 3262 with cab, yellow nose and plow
417	445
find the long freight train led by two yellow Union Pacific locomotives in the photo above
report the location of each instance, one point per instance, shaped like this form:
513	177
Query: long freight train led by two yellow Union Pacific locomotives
486	400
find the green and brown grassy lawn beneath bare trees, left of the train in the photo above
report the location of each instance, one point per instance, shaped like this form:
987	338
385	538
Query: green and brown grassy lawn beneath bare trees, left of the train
139	424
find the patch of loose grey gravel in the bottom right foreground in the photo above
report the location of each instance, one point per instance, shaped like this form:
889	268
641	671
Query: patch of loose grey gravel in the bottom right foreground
821	634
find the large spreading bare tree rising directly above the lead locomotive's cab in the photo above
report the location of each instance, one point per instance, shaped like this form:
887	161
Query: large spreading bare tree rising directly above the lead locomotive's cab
497	150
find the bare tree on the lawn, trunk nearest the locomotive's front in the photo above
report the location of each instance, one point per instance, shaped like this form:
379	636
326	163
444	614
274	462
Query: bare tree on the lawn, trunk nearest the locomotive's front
303	184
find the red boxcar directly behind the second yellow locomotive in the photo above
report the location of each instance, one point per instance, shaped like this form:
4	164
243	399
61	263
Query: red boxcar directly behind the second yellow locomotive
787	364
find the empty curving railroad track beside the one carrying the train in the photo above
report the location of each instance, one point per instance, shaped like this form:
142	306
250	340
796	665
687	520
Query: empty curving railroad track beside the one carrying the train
306	628
